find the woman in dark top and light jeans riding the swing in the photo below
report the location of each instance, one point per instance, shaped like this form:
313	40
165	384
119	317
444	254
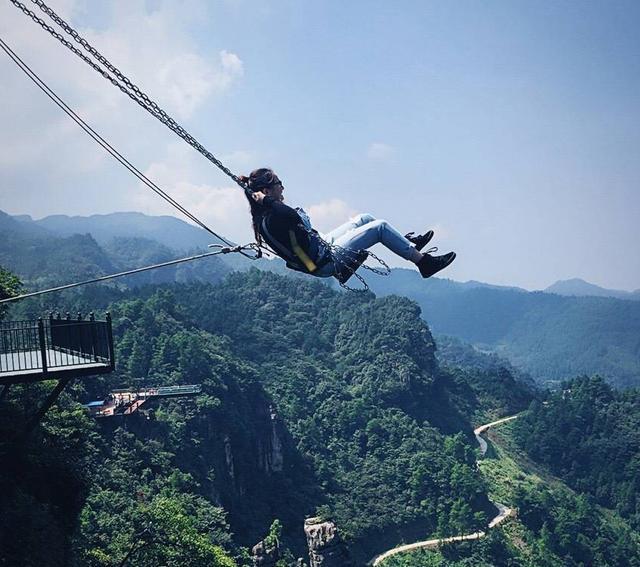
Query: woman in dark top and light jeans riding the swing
339	253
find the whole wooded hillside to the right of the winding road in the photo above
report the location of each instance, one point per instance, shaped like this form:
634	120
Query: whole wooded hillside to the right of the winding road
587	435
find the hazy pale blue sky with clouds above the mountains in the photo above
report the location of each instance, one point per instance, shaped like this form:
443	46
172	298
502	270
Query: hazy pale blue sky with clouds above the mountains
511	127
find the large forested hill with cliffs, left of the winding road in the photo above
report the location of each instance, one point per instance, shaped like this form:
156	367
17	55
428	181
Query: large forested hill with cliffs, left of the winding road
313	402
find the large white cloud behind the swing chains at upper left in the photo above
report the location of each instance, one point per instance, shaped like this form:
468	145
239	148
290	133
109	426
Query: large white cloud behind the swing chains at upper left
154	47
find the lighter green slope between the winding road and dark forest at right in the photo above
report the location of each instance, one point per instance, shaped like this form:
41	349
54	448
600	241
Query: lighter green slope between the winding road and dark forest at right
554	526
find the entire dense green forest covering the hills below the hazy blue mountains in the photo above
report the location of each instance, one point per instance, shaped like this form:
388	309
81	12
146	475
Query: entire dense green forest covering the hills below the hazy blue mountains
313	403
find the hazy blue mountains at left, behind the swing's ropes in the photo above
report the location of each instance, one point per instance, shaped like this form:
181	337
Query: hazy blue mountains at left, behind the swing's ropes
123	241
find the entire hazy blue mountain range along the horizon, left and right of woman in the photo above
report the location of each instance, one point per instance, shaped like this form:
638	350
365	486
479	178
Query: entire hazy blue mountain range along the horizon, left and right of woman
570	328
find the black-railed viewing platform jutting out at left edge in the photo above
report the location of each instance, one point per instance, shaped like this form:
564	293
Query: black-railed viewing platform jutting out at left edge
55	348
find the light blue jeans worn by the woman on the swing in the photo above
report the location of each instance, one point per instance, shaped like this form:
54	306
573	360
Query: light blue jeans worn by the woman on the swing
363	231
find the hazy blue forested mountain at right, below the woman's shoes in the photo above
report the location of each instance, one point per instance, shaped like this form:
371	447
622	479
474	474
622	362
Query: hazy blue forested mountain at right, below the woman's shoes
549	336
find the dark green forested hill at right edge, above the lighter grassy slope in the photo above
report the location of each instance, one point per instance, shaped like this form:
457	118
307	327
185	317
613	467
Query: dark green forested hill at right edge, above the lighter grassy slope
587	434
